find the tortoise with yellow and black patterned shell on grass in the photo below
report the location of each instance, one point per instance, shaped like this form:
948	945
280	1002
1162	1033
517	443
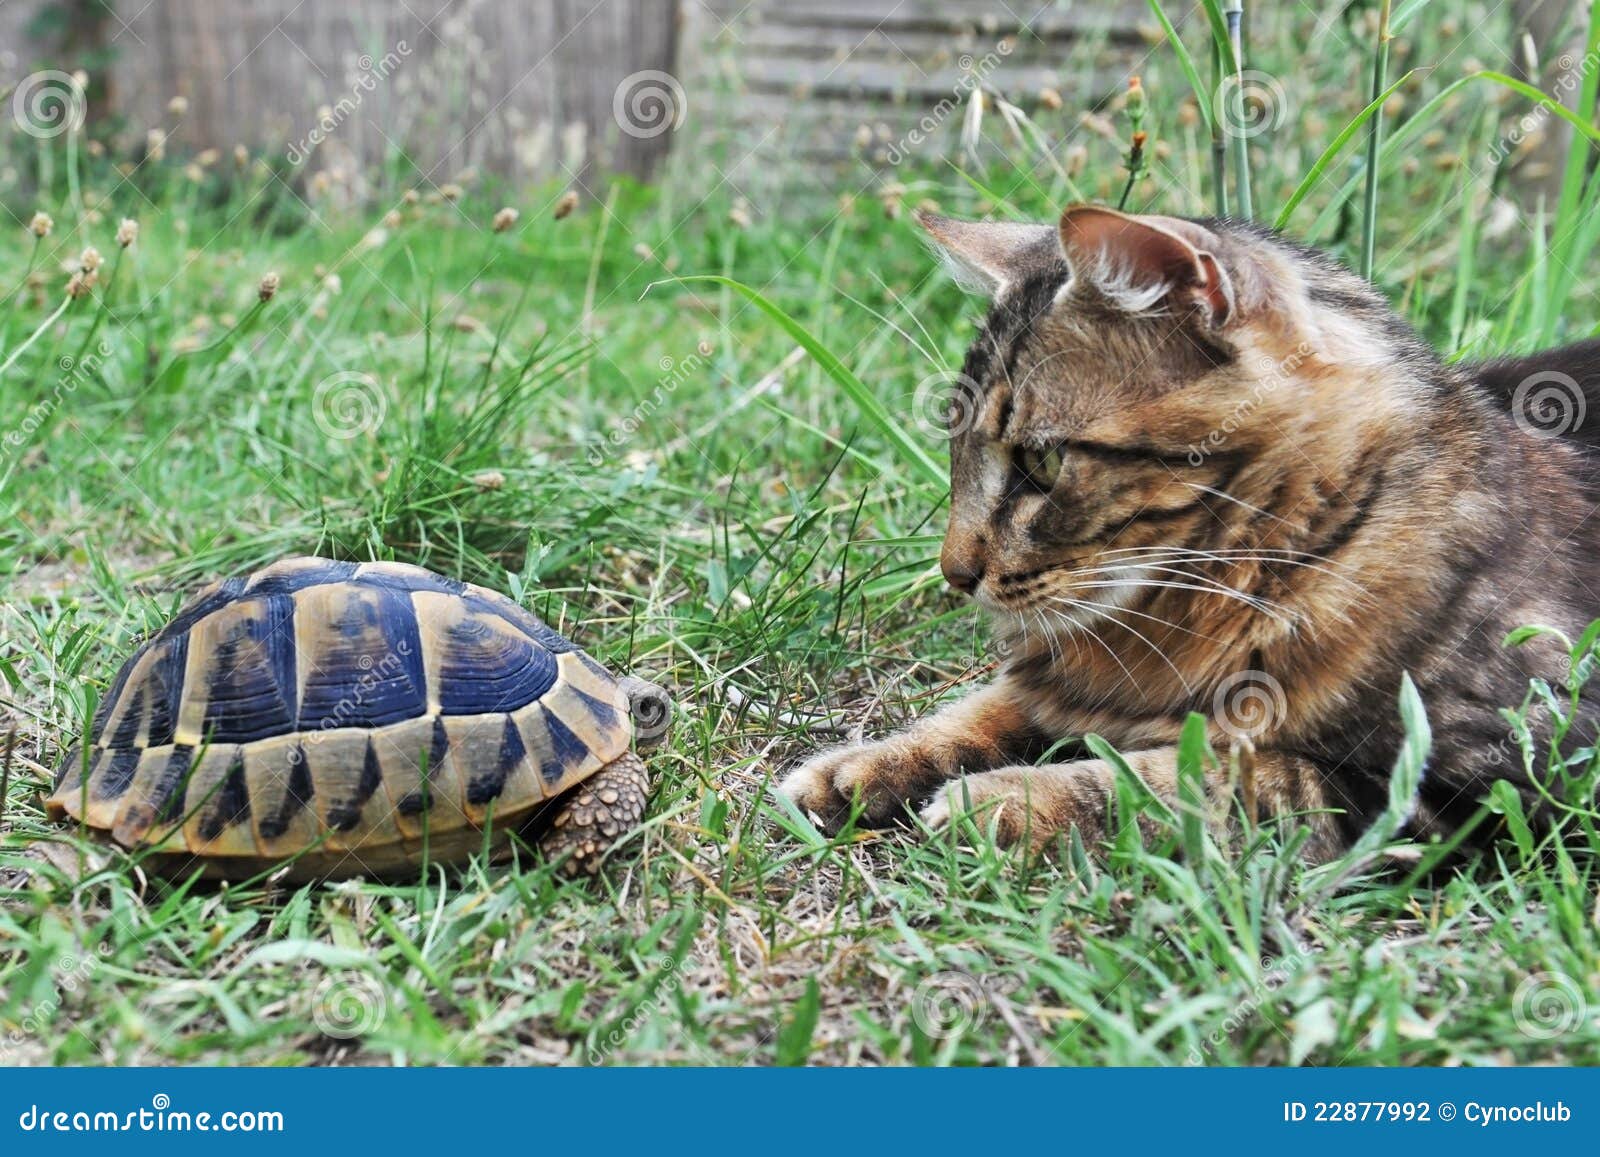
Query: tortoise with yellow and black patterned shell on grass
351	719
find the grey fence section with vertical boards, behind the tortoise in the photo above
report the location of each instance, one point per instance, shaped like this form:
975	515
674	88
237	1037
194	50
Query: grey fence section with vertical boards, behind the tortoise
526	87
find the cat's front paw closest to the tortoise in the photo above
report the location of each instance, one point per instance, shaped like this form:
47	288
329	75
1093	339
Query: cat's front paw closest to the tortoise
889	777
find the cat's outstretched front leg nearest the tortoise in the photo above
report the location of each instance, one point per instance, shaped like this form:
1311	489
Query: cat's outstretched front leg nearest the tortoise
892	777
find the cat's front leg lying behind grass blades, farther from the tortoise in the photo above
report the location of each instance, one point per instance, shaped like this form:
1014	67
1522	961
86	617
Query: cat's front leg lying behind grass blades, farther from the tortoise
1038	804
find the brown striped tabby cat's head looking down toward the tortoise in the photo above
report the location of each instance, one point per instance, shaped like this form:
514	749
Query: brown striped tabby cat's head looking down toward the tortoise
1137	388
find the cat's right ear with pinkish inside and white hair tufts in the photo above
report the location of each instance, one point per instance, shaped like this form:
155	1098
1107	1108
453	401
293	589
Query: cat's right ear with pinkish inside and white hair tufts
1142	263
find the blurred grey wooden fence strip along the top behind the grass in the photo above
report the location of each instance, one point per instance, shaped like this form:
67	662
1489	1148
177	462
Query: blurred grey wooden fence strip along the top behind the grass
546	89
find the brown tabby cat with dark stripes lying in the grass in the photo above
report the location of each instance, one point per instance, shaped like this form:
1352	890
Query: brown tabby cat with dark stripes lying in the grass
1196	466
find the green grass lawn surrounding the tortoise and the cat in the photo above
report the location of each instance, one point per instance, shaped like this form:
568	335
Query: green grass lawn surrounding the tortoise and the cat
564	414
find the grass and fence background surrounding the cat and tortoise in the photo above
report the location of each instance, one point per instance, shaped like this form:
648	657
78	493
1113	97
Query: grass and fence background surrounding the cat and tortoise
617	306
